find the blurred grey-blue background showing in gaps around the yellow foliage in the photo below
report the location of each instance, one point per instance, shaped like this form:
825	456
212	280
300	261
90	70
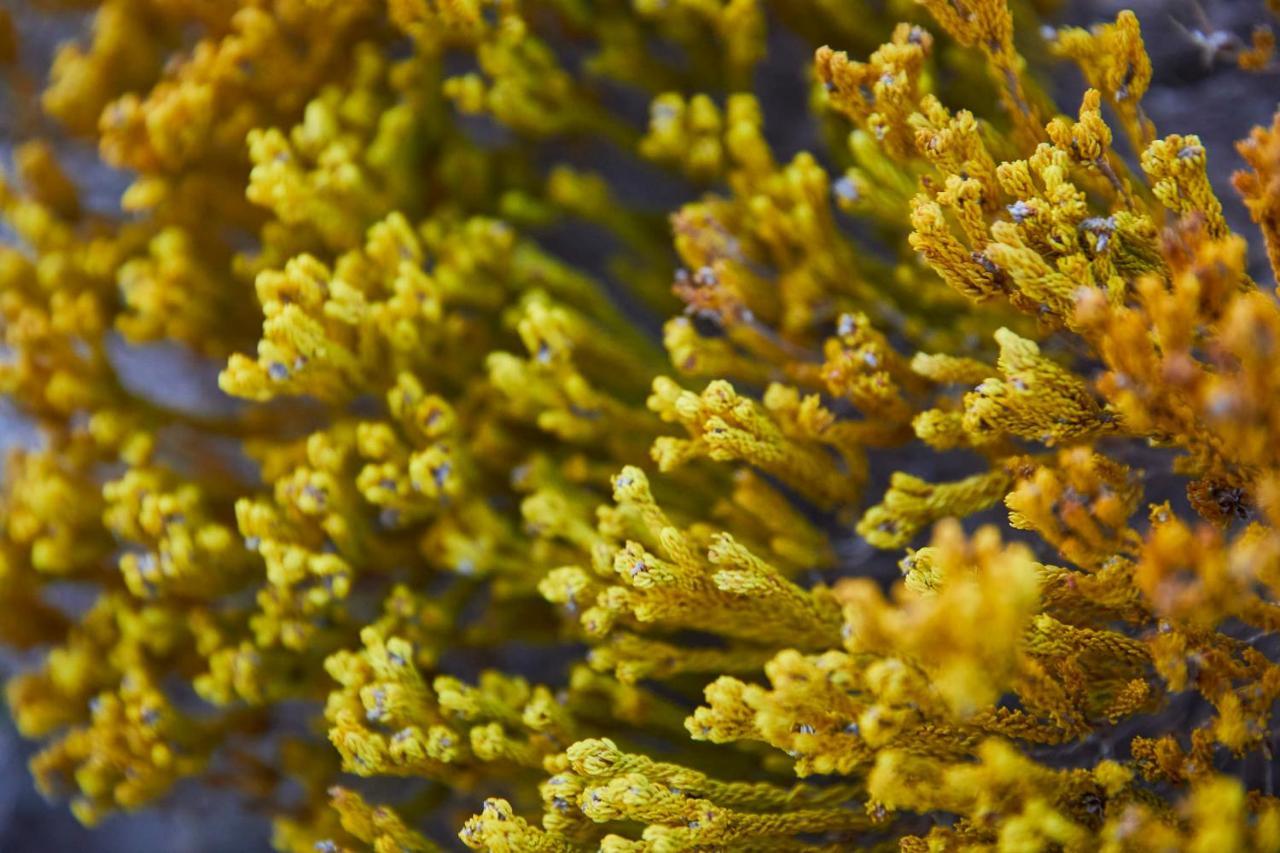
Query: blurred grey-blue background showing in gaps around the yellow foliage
1195	92
